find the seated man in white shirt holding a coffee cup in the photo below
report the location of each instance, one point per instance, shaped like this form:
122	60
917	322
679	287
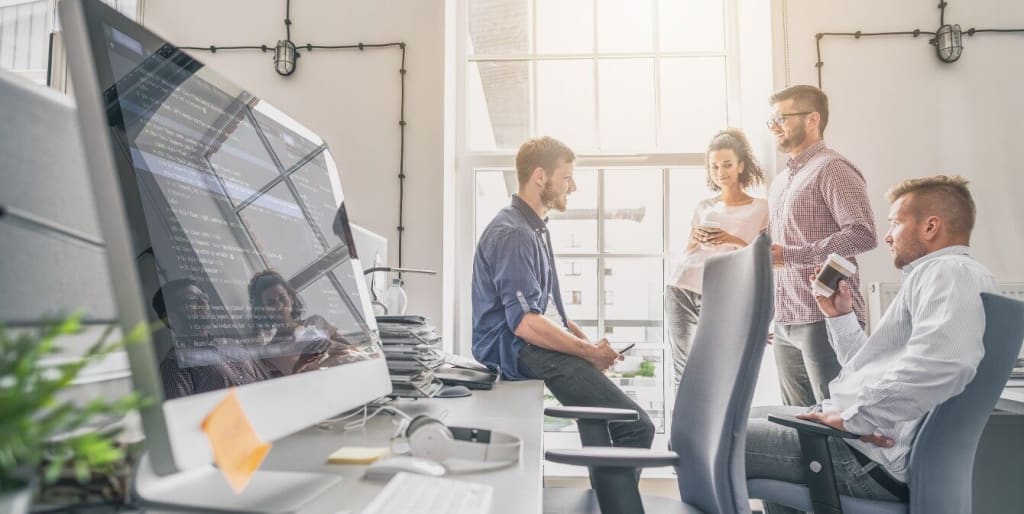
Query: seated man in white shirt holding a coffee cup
926	350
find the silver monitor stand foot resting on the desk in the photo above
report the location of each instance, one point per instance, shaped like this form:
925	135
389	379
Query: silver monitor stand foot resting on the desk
207	490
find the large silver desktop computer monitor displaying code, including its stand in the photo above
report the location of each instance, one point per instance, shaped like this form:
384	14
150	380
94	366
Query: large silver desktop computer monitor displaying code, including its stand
202	189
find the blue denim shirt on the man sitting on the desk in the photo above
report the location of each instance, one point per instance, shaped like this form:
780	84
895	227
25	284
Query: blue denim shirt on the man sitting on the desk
514	275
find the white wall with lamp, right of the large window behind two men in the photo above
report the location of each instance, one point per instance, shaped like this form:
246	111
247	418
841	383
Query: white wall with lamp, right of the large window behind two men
898	112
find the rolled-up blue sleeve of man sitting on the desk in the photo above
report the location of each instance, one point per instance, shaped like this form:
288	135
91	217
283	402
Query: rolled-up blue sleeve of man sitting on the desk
516	268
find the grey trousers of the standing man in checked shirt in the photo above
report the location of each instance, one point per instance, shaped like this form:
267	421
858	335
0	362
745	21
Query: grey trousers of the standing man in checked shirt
806	363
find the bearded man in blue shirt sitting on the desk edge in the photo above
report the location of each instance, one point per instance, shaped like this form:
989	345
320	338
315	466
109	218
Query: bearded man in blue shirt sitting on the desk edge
520	324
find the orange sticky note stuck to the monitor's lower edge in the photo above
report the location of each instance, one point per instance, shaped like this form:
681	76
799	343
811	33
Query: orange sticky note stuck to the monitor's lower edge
237	449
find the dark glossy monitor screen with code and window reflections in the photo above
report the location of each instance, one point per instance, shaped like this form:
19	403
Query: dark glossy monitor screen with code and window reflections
239	204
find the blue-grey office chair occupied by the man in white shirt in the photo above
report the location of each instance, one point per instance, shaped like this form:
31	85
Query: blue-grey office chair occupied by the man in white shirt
943	456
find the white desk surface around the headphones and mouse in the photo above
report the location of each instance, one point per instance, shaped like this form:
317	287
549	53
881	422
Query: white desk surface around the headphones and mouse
515	408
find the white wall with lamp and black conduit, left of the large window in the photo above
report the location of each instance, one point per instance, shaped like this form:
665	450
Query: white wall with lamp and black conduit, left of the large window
351	99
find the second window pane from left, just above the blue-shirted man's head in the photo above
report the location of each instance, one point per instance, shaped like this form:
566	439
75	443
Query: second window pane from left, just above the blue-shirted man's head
566	102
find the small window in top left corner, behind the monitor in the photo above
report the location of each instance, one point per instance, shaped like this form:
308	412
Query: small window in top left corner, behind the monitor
25	34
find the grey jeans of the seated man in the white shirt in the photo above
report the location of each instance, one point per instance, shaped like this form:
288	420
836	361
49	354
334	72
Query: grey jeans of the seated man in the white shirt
774	452
